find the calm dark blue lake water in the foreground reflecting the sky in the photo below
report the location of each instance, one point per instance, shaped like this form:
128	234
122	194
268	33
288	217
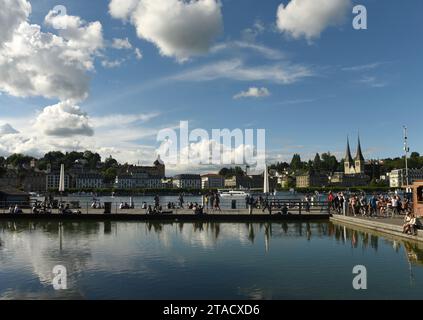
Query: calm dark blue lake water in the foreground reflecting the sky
131	260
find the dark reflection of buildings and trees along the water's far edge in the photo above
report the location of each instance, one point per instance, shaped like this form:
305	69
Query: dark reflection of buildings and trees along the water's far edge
208	234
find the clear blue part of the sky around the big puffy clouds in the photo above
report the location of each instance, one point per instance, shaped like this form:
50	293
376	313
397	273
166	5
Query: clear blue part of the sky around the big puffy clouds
341	82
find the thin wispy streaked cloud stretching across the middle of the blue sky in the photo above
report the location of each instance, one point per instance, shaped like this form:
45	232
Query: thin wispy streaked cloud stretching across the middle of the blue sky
236	70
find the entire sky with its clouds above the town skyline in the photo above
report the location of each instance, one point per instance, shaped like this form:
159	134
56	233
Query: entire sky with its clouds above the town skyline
108	75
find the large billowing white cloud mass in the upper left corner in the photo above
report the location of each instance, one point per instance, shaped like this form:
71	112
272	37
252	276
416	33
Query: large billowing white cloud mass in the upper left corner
35	63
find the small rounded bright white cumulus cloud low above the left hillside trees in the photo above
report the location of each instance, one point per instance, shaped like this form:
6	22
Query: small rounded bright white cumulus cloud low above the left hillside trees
63	120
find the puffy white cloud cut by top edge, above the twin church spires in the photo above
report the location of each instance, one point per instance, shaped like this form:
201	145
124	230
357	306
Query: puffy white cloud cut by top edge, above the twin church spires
309	18
